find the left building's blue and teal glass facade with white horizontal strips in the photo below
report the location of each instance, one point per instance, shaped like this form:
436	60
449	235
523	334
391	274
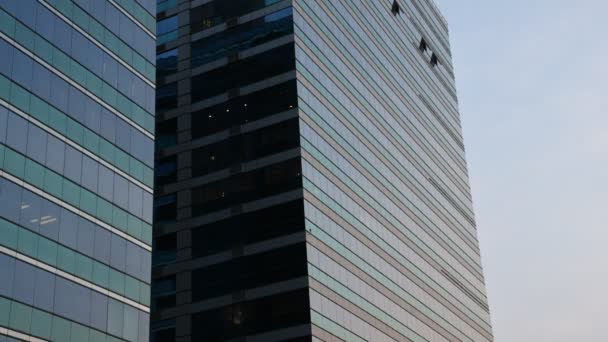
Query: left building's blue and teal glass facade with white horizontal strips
77	81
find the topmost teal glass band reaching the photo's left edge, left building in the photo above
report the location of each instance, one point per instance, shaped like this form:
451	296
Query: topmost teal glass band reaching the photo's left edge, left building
70	52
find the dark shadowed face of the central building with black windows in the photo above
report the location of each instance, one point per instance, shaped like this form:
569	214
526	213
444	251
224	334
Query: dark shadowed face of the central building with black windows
230	258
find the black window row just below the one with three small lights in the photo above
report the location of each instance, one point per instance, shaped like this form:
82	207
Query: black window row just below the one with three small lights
245	147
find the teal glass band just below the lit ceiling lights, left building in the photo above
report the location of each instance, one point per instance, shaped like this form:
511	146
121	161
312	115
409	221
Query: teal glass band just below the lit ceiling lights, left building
67	260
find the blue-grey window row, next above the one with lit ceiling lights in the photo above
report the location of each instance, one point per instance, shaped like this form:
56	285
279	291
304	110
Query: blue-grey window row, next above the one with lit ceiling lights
31	141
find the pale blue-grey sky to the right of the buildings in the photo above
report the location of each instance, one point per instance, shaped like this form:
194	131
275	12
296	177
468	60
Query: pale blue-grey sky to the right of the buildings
532	78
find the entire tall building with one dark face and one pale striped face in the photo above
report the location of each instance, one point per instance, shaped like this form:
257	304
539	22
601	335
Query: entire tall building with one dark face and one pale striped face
311	181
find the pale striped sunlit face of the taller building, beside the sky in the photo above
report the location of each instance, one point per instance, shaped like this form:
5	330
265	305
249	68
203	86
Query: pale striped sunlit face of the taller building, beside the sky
393	252
